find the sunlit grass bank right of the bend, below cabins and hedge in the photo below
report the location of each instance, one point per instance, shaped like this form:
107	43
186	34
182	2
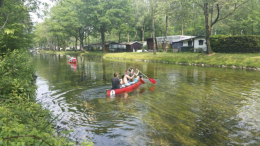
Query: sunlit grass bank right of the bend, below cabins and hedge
228	60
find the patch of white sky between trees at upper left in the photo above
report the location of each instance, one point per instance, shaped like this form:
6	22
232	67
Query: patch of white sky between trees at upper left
34	16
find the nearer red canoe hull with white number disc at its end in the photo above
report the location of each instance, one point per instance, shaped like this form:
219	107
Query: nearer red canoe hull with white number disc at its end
113	92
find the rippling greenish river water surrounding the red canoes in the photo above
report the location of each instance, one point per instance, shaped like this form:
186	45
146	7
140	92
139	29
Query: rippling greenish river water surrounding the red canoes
188	105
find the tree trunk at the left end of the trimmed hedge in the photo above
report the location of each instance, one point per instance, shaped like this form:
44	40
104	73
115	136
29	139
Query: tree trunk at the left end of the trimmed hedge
208	28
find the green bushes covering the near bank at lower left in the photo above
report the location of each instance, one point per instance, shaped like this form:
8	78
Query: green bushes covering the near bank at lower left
22	121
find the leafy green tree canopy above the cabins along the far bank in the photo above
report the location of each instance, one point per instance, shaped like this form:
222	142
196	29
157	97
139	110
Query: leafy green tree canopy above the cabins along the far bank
123	20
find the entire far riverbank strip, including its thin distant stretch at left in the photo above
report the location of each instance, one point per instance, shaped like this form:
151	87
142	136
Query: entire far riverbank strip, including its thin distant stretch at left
242	61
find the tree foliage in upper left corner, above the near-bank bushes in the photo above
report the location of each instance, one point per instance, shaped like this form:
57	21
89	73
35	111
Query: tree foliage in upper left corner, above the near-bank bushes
15	24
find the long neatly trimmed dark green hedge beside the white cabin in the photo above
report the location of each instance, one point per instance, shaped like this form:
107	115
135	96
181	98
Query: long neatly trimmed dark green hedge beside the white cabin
235	44
